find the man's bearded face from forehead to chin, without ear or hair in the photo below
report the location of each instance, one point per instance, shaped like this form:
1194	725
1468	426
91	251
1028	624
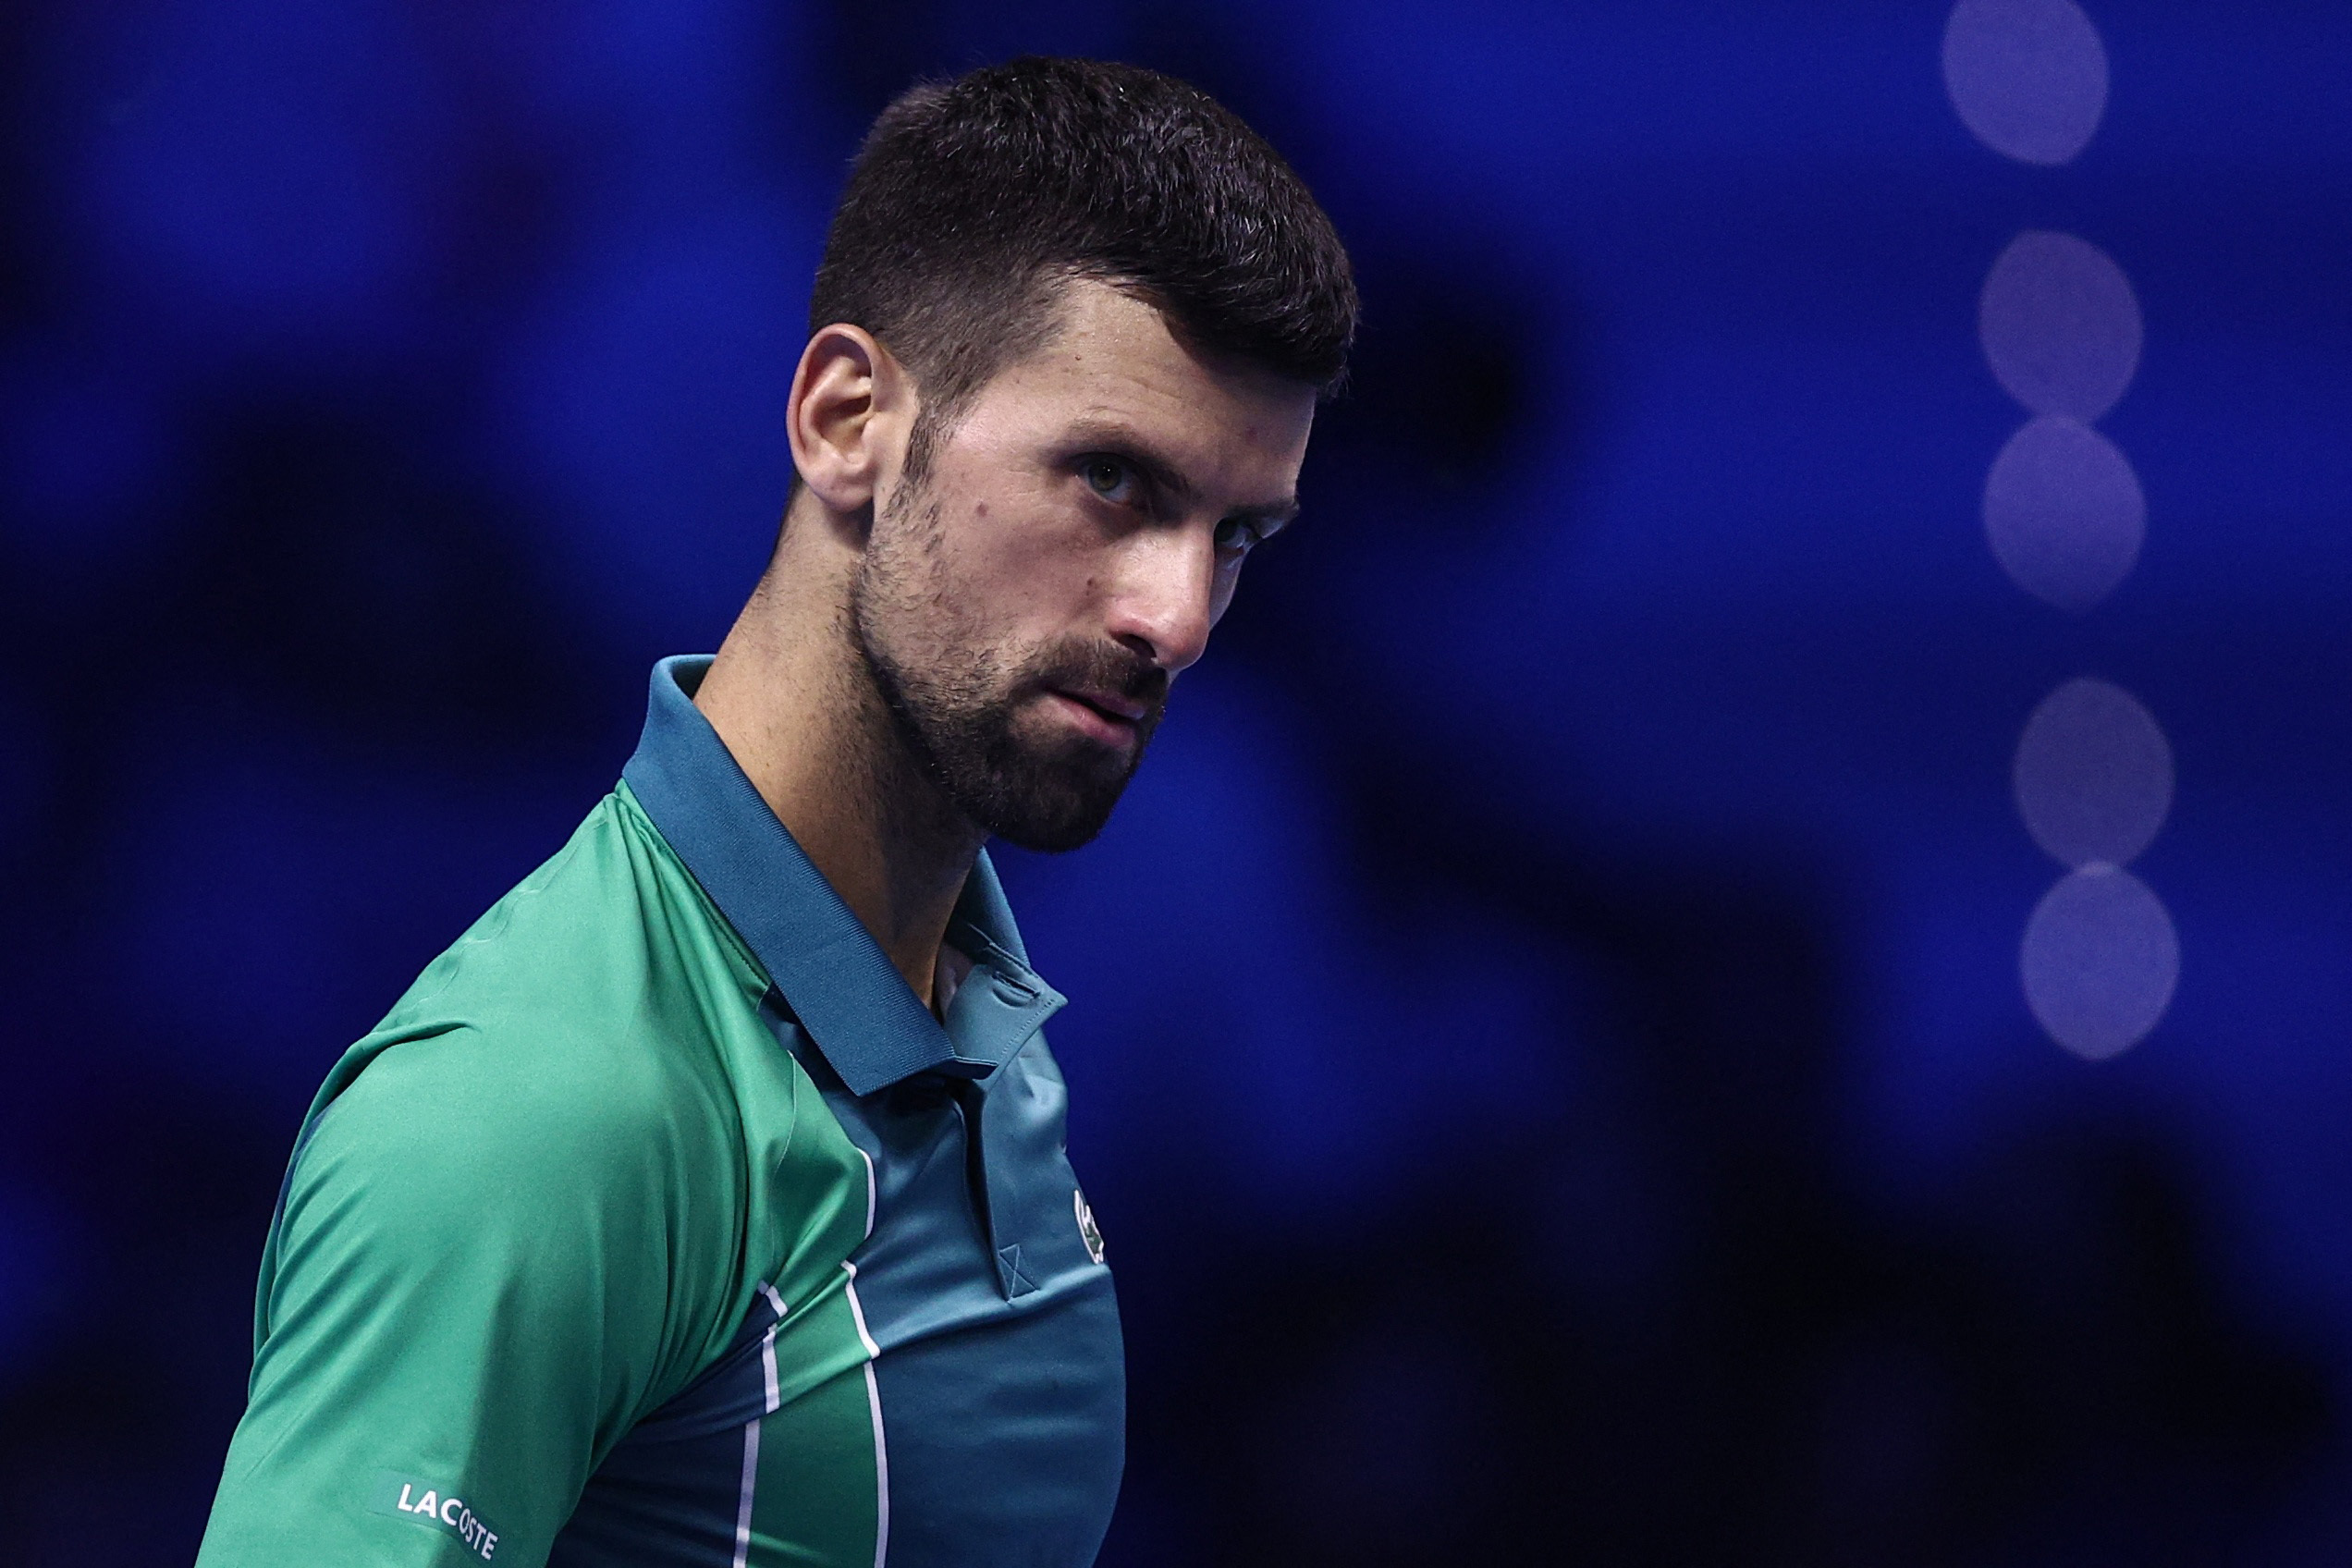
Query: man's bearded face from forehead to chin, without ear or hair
1029	601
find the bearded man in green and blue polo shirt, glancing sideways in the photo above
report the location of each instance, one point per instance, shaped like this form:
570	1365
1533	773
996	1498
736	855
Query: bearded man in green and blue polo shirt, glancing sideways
707	1202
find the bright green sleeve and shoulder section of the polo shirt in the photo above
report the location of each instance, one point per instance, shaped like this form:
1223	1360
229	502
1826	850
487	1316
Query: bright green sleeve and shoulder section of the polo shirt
526	1212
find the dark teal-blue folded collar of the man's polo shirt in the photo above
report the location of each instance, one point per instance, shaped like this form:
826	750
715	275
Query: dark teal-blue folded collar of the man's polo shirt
834	977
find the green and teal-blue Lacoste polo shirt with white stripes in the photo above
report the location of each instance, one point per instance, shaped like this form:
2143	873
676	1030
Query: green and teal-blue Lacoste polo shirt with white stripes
660	1224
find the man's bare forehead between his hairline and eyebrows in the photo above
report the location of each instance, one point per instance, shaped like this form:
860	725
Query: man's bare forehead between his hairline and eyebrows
1114	363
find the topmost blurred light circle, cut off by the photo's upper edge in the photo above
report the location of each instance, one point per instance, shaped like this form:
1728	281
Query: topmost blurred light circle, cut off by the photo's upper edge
2026	76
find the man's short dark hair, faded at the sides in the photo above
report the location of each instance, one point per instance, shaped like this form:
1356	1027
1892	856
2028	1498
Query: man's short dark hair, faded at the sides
975	201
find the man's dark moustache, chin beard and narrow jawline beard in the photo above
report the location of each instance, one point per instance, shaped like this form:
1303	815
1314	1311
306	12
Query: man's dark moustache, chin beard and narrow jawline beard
958	728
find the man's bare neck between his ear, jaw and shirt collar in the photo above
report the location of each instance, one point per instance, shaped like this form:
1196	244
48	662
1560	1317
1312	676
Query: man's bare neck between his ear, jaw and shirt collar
791	699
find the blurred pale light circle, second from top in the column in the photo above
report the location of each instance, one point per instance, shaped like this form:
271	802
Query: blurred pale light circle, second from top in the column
2059	326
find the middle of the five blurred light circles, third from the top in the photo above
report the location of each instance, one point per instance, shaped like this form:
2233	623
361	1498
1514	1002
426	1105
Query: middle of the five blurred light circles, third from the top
2064	514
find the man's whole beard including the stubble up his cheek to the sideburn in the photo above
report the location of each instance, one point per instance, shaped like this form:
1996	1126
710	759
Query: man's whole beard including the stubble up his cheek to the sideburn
956	699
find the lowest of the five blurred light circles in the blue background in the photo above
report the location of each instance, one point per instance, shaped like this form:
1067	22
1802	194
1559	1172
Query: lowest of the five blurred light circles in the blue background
2099	963
